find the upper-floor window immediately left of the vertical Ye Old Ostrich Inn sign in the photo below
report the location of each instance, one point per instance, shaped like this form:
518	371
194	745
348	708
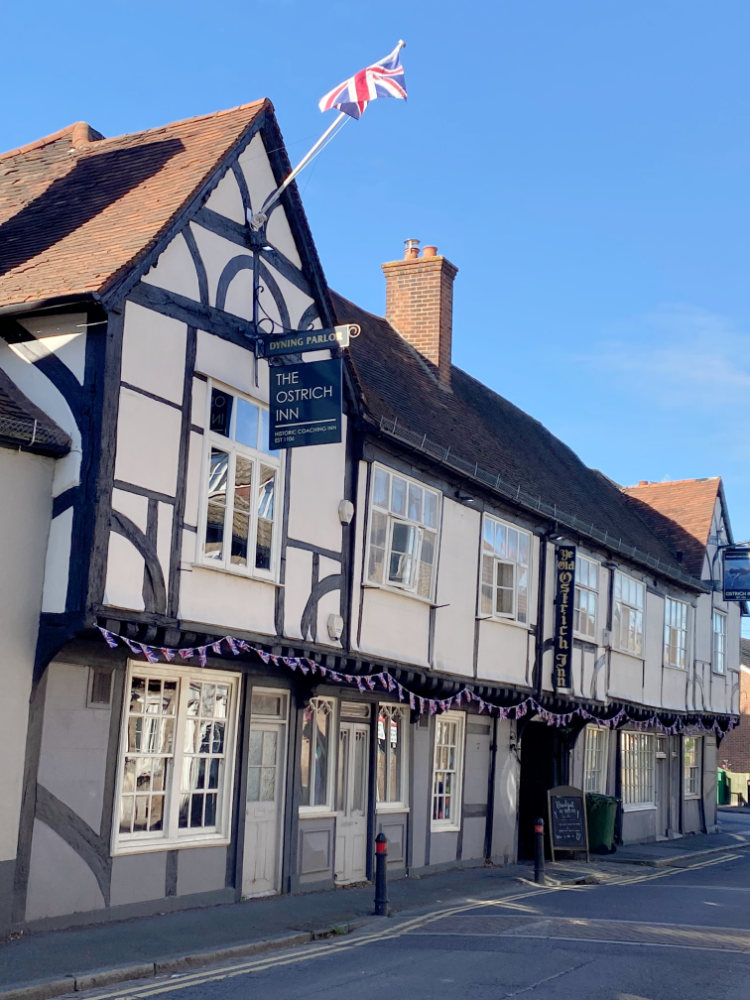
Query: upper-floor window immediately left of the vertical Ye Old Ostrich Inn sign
504	573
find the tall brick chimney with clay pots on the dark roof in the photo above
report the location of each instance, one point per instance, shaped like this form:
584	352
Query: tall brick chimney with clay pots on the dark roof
419	303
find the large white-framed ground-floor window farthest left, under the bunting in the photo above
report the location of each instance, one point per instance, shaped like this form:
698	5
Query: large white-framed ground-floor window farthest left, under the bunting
175	768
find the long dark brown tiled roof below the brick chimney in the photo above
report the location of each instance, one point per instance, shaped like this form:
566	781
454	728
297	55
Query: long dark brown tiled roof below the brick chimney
397	383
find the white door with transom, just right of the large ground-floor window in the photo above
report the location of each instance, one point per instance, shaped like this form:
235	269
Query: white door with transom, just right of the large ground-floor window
264	805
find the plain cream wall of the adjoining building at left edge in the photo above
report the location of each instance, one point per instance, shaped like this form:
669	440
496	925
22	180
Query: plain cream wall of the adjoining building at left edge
25	511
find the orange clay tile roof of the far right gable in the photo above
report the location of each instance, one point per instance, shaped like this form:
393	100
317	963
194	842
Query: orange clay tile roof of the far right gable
681	513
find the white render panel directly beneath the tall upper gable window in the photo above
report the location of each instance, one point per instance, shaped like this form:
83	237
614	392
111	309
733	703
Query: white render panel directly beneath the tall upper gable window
227	600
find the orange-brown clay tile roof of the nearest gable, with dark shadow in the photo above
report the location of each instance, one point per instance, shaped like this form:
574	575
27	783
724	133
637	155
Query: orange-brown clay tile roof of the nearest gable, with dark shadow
76	208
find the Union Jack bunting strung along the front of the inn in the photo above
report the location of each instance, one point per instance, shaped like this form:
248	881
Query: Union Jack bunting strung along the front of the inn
432	706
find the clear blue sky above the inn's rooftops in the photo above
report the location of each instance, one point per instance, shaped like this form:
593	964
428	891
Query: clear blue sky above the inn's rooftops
584	164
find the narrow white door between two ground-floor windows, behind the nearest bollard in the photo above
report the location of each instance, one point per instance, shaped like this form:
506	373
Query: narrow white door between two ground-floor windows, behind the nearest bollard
351	803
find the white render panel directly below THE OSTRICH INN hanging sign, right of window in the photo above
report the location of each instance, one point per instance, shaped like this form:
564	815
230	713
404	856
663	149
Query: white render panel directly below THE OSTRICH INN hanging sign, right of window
316	489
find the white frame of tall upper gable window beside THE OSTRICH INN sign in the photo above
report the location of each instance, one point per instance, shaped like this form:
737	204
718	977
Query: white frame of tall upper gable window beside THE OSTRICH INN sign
214	441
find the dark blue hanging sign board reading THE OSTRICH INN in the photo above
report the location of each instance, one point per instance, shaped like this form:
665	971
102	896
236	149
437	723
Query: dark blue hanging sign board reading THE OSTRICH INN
306	404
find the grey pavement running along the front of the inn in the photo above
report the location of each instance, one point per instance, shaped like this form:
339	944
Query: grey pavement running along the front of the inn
39	966
